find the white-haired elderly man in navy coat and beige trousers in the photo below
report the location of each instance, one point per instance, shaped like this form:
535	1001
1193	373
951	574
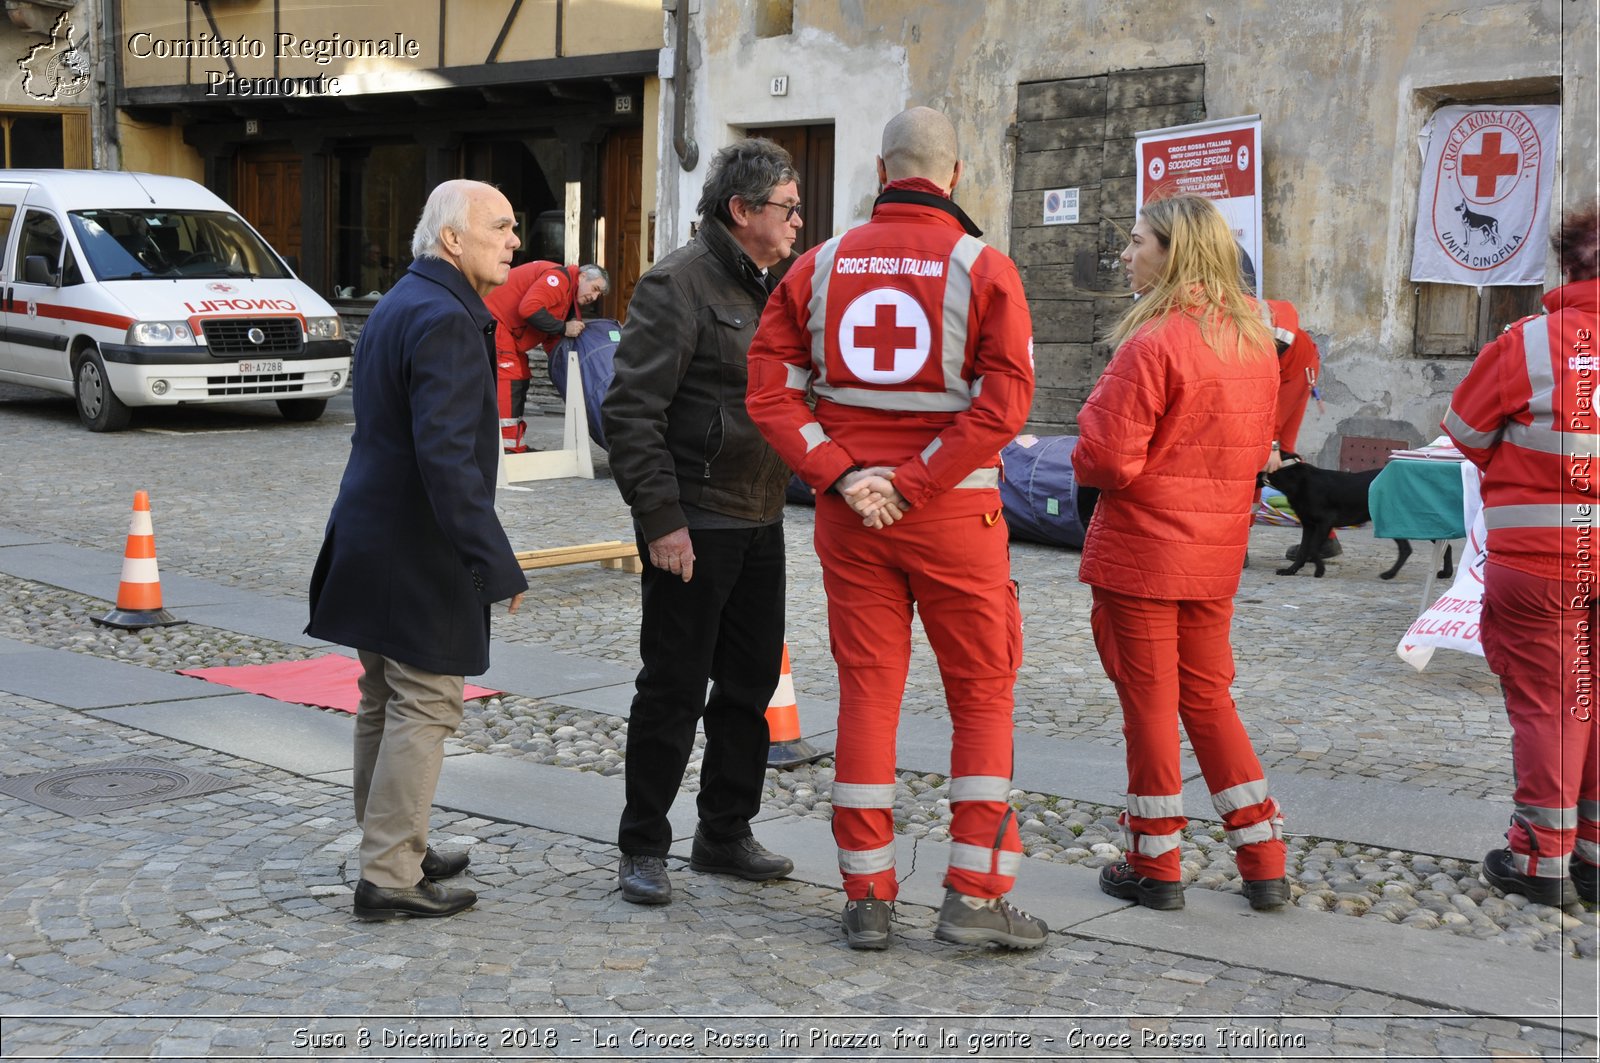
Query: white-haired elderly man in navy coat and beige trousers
415	555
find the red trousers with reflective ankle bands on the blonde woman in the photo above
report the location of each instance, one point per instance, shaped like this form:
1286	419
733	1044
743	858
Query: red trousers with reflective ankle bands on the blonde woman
1169	662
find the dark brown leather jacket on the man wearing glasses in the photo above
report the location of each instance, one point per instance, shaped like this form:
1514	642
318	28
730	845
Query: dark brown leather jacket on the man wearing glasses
674	417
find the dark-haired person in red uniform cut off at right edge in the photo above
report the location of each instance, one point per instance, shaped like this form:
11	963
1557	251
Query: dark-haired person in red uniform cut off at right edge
1526	415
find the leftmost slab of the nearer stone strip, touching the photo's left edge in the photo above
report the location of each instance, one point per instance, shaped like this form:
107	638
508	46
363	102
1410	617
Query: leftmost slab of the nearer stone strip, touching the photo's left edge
79	681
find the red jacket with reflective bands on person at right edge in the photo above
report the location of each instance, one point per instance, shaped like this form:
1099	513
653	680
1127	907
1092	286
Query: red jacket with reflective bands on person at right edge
1526	415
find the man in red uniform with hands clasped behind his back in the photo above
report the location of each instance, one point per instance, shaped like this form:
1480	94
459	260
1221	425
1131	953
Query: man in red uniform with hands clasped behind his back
918	343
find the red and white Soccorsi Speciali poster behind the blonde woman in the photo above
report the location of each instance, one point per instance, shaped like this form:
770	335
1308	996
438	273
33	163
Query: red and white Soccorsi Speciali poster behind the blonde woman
1220	161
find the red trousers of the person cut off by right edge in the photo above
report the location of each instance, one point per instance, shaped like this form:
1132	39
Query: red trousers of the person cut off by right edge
1542	649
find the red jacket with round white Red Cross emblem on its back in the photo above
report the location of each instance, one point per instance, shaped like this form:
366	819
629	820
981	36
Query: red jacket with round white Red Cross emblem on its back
916	339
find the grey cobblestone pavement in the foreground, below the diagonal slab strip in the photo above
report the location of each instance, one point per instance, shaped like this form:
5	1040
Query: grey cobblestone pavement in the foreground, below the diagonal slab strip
218	928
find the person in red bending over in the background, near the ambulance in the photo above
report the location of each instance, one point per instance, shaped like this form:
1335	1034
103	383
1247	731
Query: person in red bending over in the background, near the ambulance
537	308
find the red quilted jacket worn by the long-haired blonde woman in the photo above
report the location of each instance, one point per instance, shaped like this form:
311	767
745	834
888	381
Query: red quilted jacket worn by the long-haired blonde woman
1174	436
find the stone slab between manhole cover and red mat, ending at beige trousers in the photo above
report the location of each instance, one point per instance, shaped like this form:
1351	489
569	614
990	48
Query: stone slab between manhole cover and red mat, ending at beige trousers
292	737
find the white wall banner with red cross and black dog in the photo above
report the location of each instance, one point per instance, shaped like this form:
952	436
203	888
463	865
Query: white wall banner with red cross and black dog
1486	199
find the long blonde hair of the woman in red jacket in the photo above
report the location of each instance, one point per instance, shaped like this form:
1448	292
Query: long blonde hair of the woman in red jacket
1201	276
